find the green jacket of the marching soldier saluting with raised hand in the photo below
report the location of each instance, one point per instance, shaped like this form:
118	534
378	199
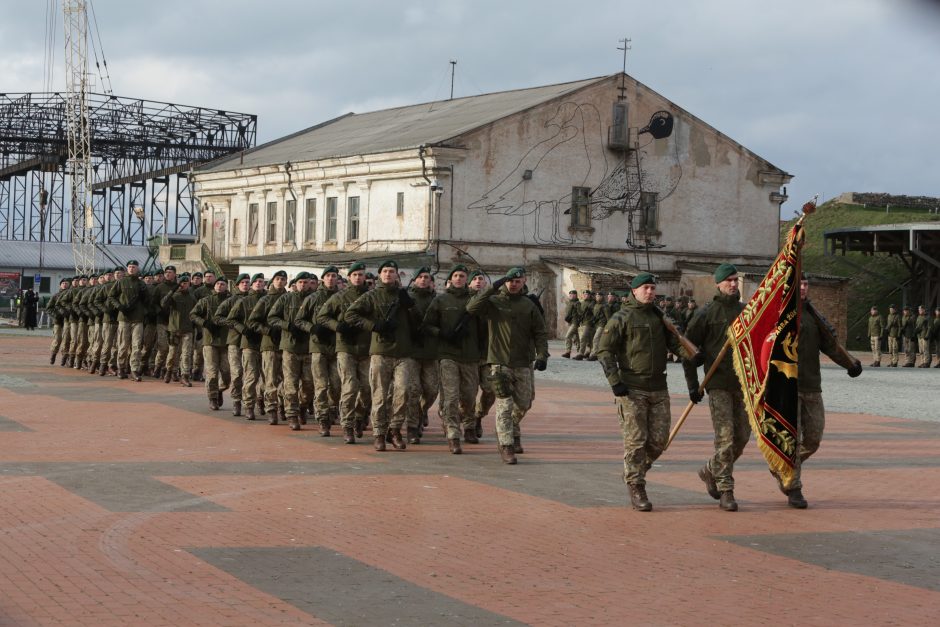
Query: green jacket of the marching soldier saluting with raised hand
516	330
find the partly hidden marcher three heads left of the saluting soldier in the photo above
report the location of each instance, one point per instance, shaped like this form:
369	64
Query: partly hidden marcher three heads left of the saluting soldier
425	353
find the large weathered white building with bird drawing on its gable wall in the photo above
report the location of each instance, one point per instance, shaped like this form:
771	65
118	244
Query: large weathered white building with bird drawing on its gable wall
570	180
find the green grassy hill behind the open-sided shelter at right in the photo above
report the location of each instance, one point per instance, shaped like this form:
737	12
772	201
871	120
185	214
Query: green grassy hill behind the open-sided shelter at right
865	289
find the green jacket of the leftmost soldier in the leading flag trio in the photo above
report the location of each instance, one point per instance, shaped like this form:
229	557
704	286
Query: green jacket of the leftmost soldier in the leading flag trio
633	348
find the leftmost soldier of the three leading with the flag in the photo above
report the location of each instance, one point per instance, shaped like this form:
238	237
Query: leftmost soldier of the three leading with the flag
633	355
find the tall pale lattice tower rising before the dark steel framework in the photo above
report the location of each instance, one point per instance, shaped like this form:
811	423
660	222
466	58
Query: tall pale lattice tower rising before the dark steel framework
79	135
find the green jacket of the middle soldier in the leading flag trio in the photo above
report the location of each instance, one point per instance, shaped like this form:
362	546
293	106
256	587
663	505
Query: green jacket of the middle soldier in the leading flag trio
709	331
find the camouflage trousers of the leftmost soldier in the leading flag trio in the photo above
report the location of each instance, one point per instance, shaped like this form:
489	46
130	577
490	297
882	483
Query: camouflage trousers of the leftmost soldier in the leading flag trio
644	421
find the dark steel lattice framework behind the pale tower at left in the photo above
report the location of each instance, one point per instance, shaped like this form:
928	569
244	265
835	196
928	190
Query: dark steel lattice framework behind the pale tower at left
141	155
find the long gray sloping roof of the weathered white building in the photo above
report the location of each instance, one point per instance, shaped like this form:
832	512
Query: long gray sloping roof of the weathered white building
397	129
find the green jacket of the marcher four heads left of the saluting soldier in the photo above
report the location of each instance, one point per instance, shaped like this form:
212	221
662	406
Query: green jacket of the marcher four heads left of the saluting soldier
381	305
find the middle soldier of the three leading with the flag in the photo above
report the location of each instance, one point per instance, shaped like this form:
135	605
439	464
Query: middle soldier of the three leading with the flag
708	330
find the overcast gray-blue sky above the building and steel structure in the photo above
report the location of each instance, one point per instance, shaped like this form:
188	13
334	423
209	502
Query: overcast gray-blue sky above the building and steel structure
843	94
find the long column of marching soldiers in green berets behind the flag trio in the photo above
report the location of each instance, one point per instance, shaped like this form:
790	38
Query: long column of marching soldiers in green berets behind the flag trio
363	351
